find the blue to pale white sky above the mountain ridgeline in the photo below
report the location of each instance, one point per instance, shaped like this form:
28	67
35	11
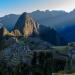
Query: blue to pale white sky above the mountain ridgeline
19	6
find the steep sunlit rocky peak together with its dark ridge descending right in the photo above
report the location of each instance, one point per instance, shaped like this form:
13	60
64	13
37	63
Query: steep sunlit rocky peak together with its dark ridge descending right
26	26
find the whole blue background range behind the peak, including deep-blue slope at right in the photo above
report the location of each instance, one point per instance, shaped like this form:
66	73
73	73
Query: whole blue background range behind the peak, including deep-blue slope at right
58	20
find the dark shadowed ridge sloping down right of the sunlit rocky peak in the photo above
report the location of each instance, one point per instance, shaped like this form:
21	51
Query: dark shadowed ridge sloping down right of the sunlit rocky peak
50	35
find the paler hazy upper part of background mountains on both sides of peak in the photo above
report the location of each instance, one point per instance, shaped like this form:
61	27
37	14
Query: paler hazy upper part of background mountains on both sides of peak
55	19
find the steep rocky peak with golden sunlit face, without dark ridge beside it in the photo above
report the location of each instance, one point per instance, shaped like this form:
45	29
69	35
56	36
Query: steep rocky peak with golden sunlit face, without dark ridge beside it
26	26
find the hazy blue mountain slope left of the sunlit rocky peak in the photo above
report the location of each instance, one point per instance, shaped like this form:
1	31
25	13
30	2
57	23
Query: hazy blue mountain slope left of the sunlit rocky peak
9	21
